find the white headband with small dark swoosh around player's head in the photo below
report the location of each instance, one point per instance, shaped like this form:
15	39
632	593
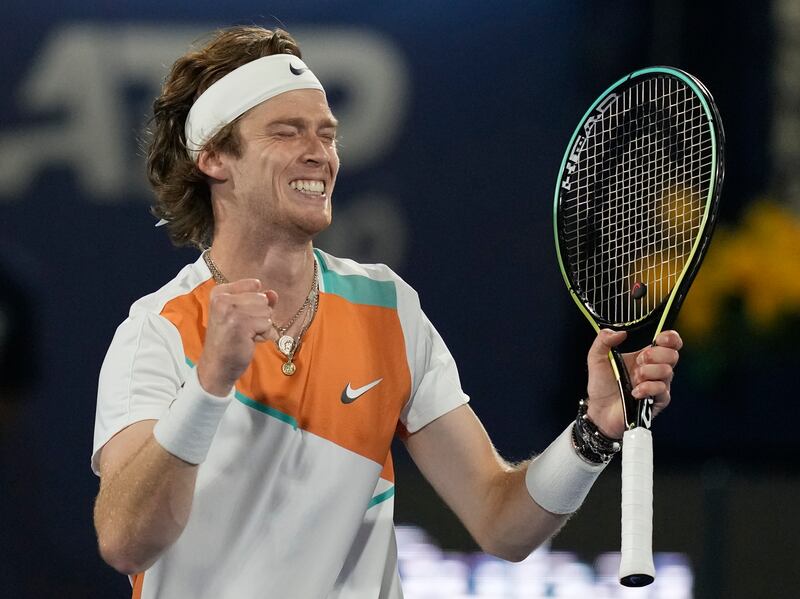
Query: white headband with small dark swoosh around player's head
239	91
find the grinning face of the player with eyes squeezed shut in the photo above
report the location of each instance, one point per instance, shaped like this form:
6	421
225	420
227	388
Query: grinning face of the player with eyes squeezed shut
284	178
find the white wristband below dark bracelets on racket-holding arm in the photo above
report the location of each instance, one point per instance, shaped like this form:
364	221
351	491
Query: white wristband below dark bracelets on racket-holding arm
558	479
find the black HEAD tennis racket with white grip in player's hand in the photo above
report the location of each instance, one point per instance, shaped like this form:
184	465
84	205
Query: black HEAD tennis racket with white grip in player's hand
636	200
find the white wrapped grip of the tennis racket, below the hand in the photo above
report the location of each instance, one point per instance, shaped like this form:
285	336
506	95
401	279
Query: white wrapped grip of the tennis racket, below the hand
636	567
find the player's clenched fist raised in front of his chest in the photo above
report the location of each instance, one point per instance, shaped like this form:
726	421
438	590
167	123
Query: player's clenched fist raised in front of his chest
240	315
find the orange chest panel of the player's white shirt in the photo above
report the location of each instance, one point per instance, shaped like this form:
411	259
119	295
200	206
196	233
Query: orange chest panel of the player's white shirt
347	344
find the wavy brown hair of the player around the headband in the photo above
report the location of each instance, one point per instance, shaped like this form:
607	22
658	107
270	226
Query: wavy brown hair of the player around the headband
183	197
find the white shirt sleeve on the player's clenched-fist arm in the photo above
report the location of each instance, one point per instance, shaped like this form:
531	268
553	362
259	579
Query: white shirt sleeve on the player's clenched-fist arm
141	375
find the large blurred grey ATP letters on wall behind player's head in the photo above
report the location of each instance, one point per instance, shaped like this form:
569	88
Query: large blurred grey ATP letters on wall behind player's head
84	73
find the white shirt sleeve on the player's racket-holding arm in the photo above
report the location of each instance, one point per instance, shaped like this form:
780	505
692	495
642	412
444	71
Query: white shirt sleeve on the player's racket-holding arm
436	387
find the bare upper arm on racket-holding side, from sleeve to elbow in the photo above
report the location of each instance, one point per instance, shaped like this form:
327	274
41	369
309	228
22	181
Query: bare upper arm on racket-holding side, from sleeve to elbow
455	455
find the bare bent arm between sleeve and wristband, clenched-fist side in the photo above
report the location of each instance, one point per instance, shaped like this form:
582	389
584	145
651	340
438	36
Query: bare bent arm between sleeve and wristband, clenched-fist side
143	508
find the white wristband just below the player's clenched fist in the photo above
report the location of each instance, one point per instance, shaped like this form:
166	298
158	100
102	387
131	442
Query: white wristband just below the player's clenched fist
189	426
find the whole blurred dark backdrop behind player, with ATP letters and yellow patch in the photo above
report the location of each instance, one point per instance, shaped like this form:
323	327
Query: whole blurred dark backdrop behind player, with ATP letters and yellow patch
455	116
